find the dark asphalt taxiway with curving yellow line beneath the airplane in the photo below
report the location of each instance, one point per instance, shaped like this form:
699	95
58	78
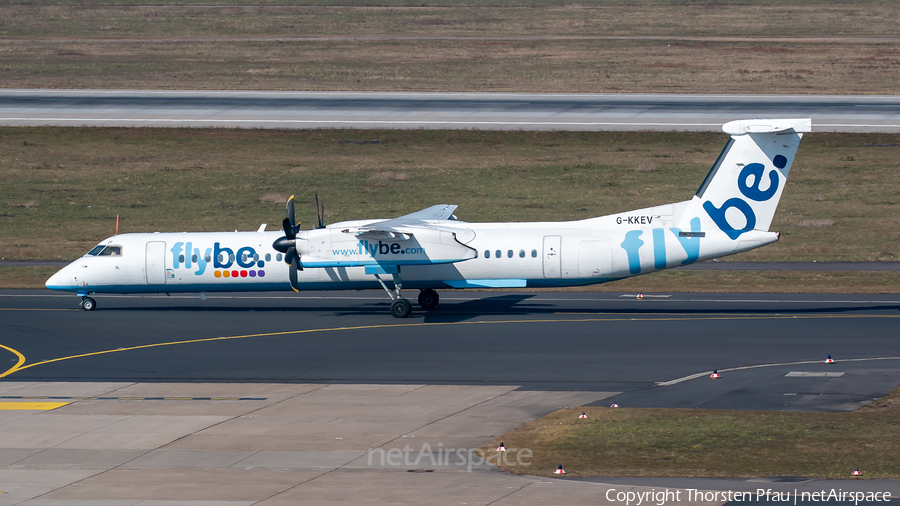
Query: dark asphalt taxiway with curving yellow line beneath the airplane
546	341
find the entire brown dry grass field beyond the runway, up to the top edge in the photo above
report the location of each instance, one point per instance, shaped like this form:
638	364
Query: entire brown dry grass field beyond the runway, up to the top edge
163	48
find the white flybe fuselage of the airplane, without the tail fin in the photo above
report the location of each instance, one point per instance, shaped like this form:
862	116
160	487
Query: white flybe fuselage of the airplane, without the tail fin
498	255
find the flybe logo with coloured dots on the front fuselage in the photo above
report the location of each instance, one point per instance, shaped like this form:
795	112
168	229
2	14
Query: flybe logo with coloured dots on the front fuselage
225	261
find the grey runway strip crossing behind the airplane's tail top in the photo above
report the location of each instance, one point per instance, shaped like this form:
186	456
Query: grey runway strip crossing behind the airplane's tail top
486	111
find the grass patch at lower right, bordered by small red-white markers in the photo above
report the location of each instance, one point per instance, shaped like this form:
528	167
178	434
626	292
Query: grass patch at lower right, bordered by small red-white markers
711	443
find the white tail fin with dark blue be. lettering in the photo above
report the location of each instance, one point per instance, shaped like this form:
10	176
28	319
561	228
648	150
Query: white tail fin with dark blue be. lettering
743	188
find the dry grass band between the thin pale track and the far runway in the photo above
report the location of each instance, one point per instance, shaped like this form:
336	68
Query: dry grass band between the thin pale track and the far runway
463	65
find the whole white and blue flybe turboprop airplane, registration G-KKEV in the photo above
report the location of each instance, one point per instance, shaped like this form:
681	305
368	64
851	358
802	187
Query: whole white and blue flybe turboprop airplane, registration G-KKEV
431	249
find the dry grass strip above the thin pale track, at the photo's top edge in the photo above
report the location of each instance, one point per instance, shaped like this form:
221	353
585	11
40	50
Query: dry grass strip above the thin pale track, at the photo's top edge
454	17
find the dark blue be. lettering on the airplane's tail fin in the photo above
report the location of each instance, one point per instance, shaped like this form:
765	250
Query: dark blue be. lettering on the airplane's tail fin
752	192
